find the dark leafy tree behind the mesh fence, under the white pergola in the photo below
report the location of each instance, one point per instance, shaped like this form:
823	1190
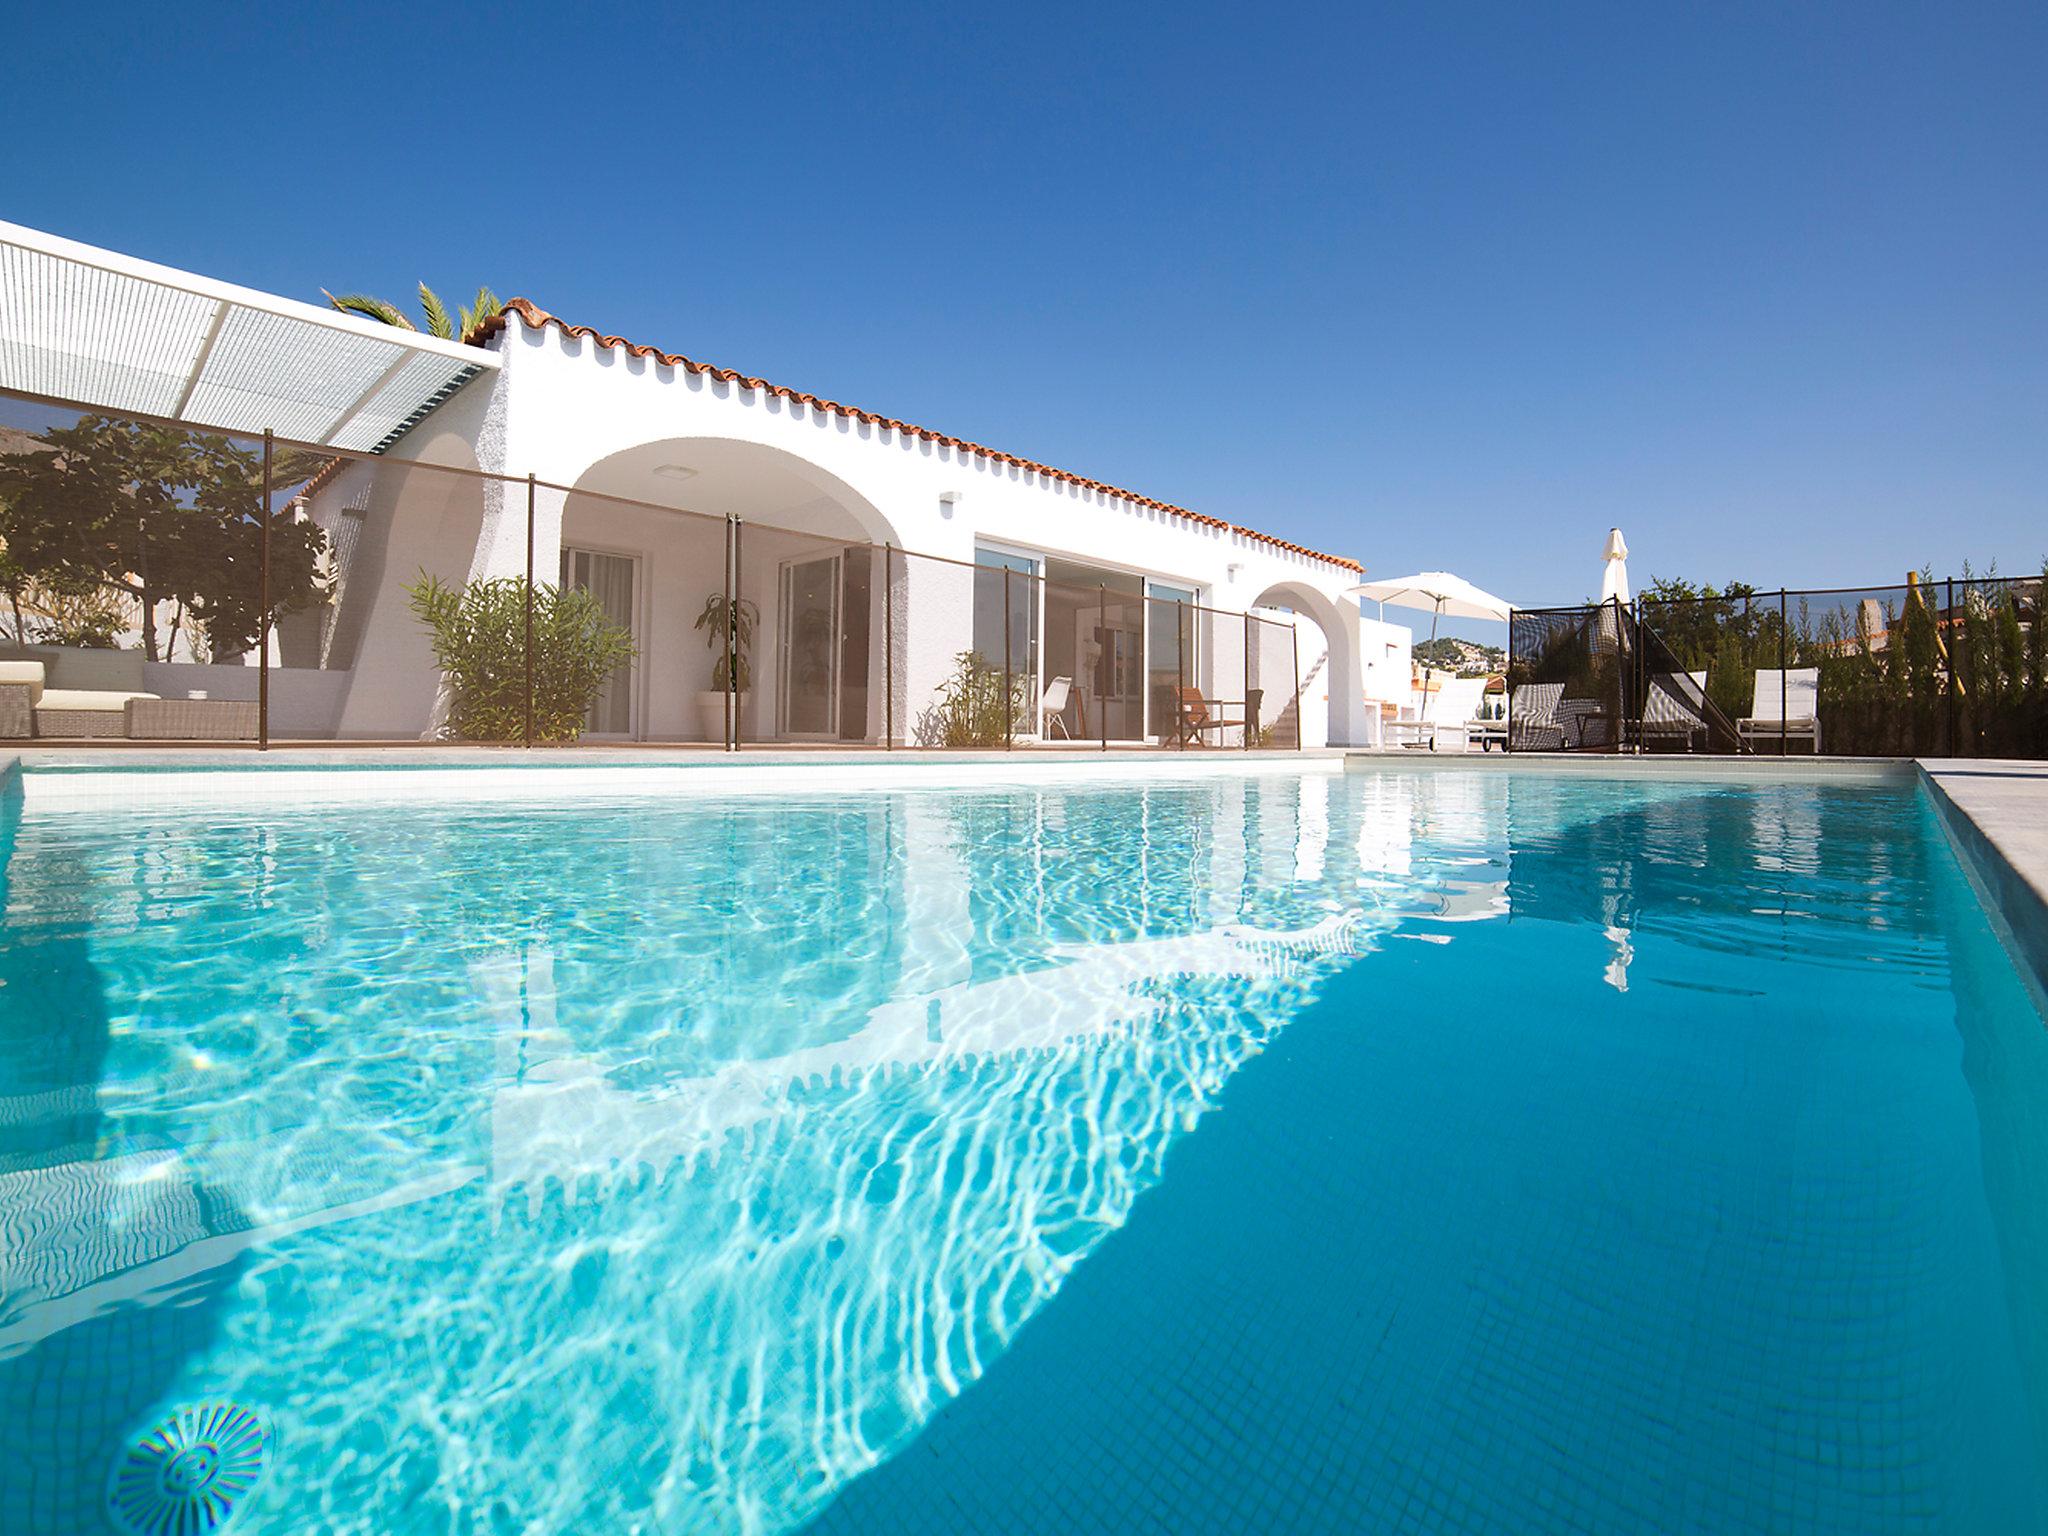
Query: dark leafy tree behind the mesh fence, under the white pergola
157	515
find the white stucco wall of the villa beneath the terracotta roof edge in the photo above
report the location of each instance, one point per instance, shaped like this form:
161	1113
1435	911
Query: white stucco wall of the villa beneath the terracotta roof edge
587	417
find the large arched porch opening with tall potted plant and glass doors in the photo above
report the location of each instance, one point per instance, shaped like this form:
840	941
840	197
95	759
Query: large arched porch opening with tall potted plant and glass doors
646	531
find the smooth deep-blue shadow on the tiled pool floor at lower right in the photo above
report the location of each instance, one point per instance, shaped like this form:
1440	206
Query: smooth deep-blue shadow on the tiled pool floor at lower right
1601	1263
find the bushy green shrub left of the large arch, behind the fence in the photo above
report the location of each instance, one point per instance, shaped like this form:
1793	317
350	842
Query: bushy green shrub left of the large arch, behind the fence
480	644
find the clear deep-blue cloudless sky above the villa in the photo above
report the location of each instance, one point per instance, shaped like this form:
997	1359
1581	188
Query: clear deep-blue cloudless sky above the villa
1431	286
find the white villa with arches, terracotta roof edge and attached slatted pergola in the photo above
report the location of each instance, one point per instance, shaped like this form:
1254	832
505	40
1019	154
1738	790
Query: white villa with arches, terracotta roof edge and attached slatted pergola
873	552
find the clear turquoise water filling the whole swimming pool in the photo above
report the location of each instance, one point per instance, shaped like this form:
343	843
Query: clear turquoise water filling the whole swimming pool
1402	1154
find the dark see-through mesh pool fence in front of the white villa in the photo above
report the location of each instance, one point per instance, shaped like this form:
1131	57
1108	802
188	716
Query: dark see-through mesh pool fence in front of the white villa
161	585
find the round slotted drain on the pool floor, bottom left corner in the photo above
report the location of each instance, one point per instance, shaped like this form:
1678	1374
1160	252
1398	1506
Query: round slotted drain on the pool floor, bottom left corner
189	1474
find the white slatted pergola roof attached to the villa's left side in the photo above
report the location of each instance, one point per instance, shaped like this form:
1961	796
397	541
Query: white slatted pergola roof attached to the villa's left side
101	331
